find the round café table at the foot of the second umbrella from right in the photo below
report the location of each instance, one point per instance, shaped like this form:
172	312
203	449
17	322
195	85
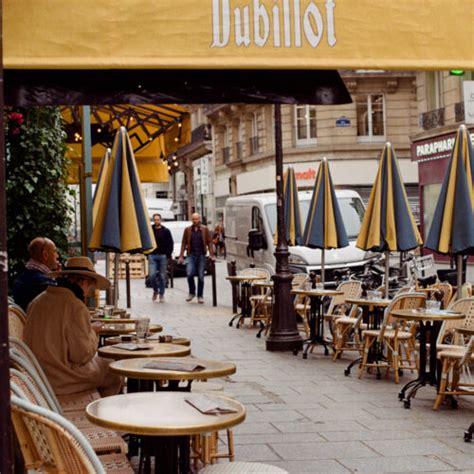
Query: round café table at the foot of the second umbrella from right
372	315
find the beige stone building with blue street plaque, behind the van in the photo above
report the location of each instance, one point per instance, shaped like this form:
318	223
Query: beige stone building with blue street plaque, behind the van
240	151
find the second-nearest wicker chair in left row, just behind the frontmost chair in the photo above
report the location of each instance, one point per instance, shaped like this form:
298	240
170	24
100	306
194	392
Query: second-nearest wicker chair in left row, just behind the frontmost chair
24	375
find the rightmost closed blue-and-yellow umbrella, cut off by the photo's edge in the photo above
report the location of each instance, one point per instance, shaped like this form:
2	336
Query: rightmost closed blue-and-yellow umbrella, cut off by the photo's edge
452	229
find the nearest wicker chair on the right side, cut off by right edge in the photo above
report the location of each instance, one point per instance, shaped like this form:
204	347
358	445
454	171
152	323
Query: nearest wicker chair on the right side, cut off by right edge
454	362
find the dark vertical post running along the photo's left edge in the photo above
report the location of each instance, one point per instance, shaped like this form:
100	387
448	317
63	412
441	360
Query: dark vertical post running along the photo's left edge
6	457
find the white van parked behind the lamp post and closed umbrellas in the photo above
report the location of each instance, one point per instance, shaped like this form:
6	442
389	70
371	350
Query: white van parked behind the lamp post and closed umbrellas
258	211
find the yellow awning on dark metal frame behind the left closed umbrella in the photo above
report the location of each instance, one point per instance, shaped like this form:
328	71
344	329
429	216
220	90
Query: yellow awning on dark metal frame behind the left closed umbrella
155	132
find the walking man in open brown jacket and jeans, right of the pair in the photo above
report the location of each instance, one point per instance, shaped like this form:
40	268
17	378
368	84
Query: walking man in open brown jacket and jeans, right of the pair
196	241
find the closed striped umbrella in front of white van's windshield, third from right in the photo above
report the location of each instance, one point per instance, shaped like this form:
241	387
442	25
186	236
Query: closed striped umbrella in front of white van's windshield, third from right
324	227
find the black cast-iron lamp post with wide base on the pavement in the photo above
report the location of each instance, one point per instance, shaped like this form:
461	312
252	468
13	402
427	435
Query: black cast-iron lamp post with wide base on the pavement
284	335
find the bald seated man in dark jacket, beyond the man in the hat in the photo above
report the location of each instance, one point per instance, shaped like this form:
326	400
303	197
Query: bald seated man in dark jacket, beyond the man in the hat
35	279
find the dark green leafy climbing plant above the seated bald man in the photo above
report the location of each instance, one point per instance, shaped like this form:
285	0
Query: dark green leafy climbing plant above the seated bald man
36	186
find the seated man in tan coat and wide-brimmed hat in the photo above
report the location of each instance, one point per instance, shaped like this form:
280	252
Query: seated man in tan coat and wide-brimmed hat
60	334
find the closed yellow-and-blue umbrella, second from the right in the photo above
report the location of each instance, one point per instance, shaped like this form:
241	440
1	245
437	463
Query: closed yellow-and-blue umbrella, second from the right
388	224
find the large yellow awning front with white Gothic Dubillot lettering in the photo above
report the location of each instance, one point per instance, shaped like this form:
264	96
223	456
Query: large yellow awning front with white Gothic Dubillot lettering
150	34
